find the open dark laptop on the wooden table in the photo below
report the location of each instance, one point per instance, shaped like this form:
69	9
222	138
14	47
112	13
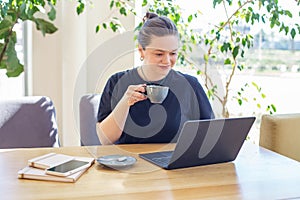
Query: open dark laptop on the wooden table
203	142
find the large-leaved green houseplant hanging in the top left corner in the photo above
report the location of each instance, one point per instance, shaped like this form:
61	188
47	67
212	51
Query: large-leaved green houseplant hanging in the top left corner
11	13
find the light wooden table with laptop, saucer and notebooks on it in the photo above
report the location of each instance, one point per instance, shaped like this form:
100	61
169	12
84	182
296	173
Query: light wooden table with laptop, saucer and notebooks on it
256	174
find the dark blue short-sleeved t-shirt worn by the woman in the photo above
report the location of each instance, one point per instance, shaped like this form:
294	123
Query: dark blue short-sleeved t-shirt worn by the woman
156	123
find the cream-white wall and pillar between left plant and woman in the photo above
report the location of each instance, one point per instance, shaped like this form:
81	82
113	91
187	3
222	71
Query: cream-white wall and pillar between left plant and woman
76	60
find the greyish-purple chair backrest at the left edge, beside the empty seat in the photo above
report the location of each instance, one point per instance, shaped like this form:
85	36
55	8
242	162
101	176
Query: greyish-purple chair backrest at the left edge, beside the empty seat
28	122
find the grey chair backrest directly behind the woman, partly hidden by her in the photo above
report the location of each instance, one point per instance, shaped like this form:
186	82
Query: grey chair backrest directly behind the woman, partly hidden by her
88	110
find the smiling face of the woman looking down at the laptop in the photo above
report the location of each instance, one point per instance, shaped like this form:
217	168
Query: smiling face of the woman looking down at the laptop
161	54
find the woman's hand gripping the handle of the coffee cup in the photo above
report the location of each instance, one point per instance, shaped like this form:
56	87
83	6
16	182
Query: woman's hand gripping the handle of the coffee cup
134	93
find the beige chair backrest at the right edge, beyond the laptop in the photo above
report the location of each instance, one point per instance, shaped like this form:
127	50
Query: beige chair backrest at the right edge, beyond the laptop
281	133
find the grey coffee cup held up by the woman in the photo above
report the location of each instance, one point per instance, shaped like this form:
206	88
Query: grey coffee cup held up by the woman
157	93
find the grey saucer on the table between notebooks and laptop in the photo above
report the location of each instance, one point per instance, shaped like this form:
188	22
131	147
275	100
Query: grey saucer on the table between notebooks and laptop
116	161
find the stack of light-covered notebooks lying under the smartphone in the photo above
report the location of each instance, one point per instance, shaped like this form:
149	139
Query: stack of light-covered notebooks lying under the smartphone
37	167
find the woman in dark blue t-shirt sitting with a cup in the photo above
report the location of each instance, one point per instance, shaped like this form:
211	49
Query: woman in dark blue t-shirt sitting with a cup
127	116
